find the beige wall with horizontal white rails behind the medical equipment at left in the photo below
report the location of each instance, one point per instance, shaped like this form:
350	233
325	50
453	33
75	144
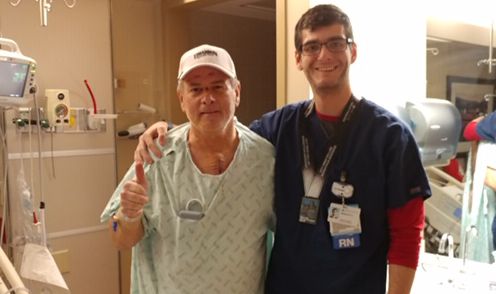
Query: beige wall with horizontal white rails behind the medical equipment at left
78	180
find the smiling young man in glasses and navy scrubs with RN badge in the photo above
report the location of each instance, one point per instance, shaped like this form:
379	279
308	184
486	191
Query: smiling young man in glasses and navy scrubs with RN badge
349	183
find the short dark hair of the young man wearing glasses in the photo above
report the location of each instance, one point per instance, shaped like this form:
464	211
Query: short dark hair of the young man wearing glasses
320	16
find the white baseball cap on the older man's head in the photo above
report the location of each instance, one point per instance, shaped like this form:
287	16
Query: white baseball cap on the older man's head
206	55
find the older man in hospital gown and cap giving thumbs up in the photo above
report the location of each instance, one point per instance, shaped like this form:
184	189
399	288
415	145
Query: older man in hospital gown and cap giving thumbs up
197	218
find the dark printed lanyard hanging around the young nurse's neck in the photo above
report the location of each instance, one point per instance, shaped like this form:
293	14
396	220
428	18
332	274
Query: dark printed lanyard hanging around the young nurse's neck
313	182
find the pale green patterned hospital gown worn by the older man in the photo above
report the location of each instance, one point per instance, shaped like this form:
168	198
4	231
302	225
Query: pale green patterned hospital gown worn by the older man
225	251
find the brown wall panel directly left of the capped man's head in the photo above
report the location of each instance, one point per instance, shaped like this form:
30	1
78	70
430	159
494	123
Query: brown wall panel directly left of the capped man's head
137	54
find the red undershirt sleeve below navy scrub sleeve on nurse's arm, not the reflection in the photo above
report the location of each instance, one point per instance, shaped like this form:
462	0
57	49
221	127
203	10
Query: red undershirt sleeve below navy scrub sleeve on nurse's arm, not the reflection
405	232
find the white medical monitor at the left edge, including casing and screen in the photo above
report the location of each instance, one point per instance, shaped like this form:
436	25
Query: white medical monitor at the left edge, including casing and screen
17	73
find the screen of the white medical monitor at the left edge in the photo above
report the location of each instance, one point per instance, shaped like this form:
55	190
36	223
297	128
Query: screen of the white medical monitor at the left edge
13	78
